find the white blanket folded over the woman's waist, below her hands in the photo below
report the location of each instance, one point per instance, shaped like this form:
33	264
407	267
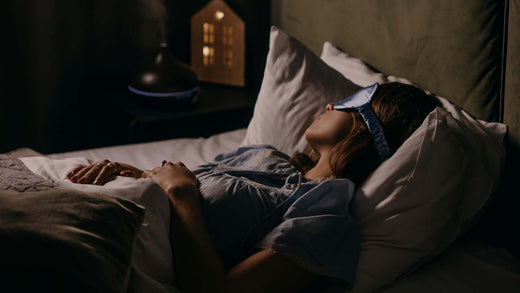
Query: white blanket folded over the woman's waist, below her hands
152	267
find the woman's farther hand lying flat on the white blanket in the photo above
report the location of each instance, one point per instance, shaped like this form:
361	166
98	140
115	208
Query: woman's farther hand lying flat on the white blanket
100	172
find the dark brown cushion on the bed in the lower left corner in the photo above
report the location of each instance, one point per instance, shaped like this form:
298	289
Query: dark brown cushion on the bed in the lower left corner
62	240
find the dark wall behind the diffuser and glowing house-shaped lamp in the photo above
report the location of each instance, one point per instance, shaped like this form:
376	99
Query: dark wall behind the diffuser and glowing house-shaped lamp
63	60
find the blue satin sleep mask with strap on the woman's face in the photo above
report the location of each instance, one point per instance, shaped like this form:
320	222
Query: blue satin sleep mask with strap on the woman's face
361	102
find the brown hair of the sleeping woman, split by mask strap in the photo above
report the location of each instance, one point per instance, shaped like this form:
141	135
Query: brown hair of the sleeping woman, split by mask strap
400	110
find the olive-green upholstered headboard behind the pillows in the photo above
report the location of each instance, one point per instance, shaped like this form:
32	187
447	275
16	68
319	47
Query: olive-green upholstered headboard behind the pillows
466	51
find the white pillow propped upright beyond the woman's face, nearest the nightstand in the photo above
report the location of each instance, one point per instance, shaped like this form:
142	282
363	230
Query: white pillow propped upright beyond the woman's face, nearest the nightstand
296	87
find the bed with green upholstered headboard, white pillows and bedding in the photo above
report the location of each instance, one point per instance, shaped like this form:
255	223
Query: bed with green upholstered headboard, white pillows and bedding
447	228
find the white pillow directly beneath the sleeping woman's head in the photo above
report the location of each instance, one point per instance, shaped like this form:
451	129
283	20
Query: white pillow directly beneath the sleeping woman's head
407	209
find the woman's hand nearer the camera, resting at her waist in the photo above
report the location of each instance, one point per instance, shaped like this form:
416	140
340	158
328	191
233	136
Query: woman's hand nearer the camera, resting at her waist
179	183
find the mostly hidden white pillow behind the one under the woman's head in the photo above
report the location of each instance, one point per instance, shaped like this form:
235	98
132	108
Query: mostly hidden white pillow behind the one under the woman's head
486	153
